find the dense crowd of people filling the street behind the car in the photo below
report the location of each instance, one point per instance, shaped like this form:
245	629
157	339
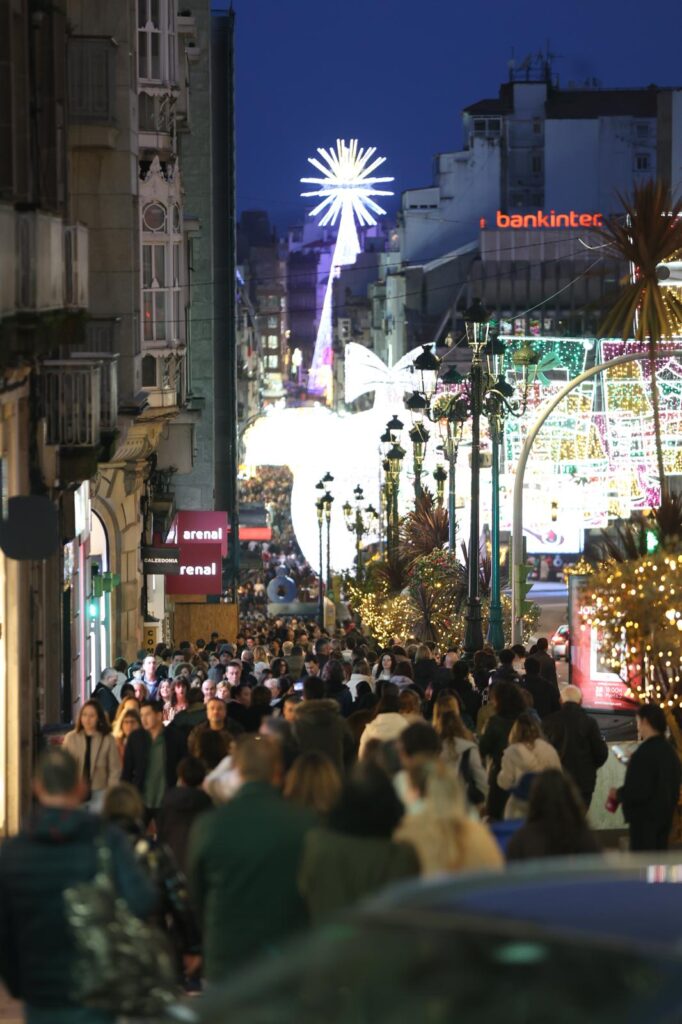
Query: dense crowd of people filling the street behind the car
272	783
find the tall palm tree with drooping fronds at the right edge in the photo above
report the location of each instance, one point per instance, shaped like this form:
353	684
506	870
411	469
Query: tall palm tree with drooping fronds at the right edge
650	234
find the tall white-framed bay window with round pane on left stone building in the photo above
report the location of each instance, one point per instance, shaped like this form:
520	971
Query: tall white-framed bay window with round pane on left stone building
162	267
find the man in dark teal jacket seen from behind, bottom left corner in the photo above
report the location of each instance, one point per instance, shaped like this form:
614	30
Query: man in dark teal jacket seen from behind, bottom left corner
59	849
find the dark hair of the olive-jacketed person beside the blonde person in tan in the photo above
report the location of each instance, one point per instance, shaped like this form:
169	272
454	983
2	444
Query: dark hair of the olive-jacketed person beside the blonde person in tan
368	806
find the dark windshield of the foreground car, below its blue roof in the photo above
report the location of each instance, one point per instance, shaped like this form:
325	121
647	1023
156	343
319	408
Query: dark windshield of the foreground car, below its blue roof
434	968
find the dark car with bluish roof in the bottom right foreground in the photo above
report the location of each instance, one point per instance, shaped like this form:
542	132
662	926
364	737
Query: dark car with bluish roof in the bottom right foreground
586	942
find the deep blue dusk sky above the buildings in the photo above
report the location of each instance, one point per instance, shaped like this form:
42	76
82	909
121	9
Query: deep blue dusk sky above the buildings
396	75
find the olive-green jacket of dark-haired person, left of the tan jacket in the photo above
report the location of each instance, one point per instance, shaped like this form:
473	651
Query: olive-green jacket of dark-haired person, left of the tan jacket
338	870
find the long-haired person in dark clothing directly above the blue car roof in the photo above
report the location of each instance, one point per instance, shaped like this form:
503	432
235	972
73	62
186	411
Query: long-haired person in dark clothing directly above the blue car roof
557	825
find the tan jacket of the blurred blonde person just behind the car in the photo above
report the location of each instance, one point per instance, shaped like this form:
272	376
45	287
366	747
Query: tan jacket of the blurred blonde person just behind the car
445	845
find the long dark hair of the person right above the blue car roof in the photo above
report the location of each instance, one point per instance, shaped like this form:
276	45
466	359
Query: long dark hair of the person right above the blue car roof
557	806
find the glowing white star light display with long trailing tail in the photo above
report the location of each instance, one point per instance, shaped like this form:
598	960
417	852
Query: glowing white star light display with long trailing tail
347	188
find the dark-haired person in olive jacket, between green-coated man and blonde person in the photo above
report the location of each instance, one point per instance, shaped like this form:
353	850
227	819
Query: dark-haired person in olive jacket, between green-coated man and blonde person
356	855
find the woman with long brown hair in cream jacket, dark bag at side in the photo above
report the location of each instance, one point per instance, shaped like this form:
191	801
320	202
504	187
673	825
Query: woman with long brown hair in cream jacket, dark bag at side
527	755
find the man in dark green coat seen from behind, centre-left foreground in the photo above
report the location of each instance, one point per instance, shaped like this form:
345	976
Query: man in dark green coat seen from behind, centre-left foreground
244	863
